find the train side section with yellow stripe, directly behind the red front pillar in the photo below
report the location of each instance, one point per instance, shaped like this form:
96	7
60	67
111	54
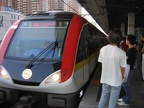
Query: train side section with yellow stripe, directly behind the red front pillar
82	61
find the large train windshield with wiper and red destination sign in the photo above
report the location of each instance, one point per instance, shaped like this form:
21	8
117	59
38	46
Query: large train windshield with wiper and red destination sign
43	39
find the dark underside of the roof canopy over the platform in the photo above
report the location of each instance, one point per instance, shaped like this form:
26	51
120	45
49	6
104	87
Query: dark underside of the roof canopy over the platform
111	13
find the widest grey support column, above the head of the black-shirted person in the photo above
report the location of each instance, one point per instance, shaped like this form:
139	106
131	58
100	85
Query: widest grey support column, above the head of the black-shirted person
131	23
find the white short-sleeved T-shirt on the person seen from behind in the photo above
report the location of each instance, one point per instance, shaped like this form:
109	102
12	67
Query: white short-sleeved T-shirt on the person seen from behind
112	58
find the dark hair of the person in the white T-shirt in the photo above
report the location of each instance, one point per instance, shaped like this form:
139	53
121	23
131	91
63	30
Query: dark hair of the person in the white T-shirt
115	36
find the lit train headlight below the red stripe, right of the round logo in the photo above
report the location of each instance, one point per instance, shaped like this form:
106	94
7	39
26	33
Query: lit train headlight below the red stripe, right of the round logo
54	78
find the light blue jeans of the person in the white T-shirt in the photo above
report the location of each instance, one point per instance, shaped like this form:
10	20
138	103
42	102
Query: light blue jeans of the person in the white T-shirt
113	92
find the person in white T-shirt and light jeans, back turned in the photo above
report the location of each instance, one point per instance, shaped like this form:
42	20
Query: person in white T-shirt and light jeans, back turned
113	61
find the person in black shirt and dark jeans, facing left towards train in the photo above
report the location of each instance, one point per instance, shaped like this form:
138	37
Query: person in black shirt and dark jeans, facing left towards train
131	58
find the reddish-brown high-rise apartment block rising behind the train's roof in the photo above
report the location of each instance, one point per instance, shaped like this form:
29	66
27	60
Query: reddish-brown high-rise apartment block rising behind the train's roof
29	6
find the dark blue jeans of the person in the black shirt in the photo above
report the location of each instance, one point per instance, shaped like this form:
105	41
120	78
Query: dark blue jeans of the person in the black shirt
126	86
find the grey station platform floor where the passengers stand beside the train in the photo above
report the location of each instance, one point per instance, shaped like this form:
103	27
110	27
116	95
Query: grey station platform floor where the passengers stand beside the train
92	94
